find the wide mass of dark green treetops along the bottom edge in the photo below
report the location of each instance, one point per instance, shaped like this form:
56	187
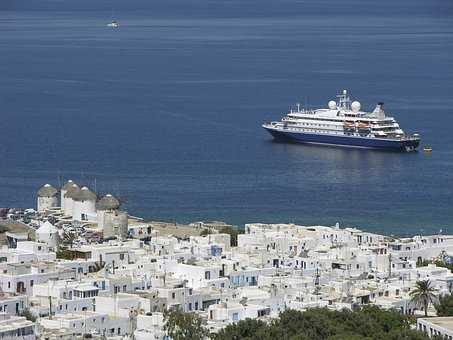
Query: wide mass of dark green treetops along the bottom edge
368	323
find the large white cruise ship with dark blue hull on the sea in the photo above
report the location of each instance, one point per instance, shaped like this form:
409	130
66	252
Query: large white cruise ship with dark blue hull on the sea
343	124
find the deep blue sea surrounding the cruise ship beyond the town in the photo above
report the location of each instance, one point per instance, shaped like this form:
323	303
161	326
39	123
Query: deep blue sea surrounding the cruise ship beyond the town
166	111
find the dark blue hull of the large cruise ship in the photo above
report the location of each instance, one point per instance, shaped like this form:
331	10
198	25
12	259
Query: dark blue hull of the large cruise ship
344	141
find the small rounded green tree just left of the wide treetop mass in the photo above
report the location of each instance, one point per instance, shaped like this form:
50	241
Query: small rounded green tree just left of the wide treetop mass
184	326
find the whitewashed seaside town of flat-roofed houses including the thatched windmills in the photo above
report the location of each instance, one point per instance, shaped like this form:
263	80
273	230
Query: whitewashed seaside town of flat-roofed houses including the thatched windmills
80	266
